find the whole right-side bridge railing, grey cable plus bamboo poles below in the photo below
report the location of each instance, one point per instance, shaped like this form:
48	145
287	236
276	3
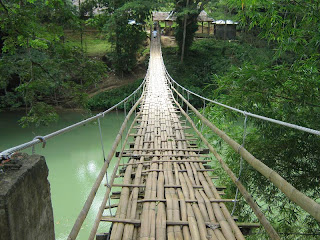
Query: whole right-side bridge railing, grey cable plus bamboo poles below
306	203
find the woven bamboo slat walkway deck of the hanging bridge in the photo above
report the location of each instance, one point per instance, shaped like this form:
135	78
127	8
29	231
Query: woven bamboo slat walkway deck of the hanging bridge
167	192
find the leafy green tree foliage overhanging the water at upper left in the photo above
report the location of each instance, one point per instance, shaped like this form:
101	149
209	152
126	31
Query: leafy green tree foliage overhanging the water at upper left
37	68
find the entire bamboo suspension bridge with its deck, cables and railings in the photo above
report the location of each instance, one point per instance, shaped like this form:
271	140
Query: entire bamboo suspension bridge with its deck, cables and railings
167	191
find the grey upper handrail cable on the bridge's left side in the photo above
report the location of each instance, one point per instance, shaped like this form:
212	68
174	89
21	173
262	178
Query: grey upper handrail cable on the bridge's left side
42	139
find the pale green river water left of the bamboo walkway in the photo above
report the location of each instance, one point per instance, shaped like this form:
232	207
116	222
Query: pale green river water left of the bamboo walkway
74	160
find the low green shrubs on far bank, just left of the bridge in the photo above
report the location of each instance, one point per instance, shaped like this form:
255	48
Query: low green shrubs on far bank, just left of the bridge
108	99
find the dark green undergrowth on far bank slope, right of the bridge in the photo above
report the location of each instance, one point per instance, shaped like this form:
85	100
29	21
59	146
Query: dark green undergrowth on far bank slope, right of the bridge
207	58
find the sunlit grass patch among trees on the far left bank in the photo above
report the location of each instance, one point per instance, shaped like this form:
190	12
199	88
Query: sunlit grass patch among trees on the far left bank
93	42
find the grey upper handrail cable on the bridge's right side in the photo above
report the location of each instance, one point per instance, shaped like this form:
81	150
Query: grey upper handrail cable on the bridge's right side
290	125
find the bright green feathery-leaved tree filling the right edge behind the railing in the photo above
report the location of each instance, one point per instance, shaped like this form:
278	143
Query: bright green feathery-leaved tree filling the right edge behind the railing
285	88
